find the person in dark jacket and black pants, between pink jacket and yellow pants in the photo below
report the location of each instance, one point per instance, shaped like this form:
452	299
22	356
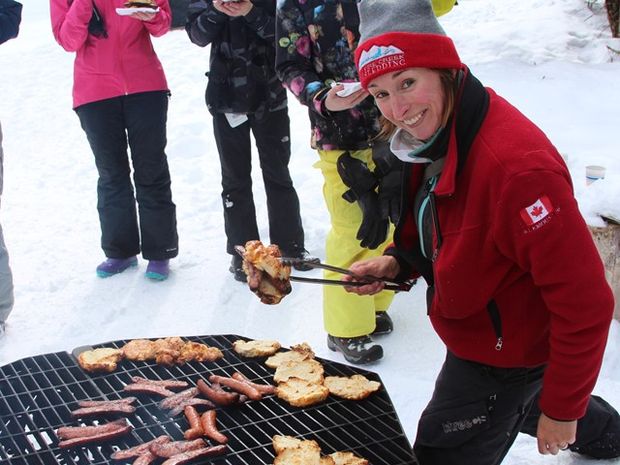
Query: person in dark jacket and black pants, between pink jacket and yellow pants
245	96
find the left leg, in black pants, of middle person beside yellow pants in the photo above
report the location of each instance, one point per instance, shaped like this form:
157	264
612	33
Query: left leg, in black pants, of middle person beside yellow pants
235	151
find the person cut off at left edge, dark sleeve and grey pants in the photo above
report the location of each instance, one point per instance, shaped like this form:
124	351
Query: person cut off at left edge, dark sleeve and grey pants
10	17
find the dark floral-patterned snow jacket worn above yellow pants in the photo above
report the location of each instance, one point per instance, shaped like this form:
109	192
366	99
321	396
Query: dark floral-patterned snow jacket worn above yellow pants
315	44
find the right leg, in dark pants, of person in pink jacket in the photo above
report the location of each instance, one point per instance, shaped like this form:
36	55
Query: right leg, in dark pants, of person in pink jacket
145	118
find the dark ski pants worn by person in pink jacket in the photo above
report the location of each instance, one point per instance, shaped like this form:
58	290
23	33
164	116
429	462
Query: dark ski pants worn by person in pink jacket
137	120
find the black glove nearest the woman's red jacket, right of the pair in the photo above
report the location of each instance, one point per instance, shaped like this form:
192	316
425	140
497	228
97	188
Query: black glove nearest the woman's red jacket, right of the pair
389	172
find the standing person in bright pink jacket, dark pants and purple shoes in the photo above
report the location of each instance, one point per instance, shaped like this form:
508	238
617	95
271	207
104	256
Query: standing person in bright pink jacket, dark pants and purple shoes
120	95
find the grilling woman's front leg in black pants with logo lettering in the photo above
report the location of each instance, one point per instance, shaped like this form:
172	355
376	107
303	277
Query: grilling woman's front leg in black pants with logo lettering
475	413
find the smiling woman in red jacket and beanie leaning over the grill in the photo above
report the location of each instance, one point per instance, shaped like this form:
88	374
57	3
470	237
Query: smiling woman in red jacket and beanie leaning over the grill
516	288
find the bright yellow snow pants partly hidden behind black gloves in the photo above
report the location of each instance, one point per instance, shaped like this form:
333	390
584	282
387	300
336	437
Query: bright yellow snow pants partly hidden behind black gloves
344	314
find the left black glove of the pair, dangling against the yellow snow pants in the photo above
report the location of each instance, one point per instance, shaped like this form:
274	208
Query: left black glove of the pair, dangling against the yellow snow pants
362	183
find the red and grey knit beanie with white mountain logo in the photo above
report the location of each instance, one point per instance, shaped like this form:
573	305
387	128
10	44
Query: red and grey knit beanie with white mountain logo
399	35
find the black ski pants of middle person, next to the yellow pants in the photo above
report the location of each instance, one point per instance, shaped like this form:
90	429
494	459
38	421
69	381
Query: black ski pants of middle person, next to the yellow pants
271	132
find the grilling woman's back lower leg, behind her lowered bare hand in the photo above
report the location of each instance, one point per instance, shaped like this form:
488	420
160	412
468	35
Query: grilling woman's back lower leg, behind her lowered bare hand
598	431
